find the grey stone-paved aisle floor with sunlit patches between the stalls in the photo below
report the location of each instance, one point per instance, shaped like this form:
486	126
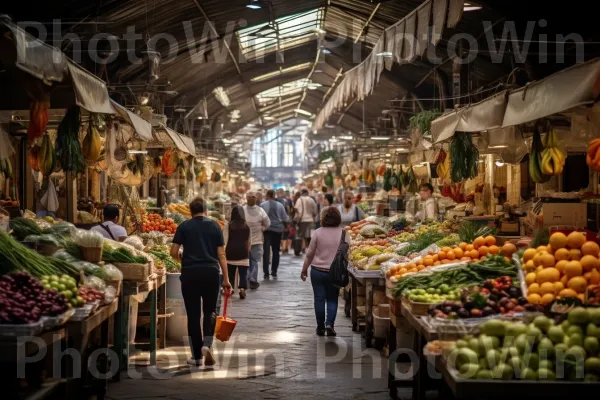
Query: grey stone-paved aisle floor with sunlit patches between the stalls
274	354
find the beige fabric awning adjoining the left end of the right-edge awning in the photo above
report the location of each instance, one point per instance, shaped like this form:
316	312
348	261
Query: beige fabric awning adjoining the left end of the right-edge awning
487	114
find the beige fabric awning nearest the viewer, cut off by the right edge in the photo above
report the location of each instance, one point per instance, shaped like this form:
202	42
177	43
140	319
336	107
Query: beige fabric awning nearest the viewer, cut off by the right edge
572	87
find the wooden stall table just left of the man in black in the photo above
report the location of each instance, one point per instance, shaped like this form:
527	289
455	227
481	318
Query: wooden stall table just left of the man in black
156	288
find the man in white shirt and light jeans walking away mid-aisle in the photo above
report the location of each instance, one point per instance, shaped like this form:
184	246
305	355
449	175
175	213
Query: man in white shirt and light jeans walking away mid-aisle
258	222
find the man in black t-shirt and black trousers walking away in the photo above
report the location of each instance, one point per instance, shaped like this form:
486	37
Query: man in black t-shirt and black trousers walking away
202	263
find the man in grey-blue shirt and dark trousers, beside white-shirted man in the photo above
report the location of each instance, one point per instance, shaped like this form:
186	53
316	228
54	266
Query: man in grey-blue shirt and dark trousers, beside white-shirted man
272	240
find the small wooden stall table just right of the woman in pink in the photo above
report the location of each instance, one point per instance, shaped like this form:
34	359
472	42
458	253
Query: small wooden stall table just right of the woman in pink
370	280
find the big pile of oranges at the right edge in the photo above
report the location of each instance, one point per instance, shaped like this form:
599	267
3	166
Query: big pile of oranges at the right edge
564	268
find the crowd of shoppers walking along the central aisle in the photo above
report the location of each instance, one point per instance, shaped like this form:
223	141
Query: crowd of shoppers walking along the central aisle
212	258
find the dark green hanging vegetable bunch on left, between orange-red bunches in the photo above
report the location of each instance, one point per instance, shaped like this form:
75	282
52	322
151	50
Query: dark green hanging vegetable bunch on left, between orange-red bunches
68	149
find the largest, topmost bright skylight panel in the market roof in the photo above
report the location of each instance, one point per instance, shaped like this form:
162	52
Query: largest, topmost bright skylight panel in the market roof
294	30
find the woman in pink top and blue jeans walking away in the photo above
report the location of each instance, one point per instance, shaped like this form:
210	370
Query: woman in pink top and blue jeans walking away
321	253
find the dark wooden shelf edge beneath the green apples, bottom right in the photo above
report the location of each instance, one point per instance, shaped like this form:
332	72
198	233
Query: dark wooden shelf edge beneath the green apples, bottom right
473	388
